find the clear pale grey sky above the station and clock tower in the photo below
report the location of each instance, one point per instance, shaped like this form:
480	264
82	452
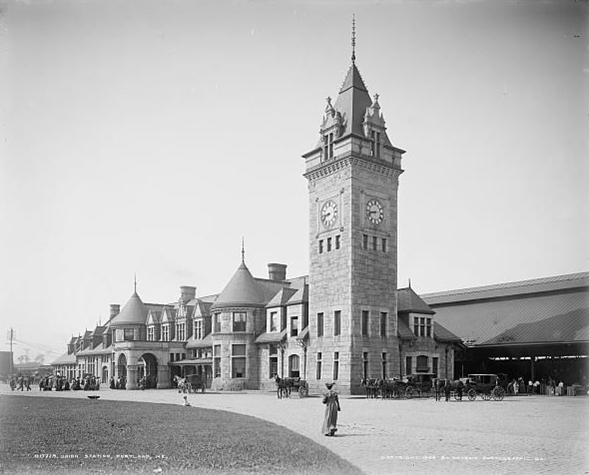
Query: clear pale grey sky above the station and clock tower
150	137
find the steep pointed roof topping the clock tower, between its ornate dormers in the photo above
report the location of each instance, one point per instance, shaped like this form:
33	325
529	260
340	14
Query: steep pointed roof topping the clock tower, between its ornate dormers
352	102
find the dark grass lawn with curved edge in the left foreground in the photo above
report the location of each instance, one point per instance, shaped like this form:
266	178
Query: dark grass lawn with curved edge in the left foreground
45	434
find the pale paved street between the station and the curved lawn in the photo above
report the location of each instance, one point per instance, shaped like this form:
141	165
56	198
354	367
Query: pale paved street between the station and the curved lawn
536	434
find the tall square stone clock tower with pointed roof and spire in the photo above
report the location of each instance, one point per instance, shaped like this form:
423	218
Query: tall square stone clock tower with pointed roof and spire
353	176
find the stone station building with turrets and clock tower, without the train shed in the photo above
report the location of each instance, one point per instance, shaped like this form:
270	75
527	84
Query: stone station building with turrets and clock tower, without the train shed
345	321
